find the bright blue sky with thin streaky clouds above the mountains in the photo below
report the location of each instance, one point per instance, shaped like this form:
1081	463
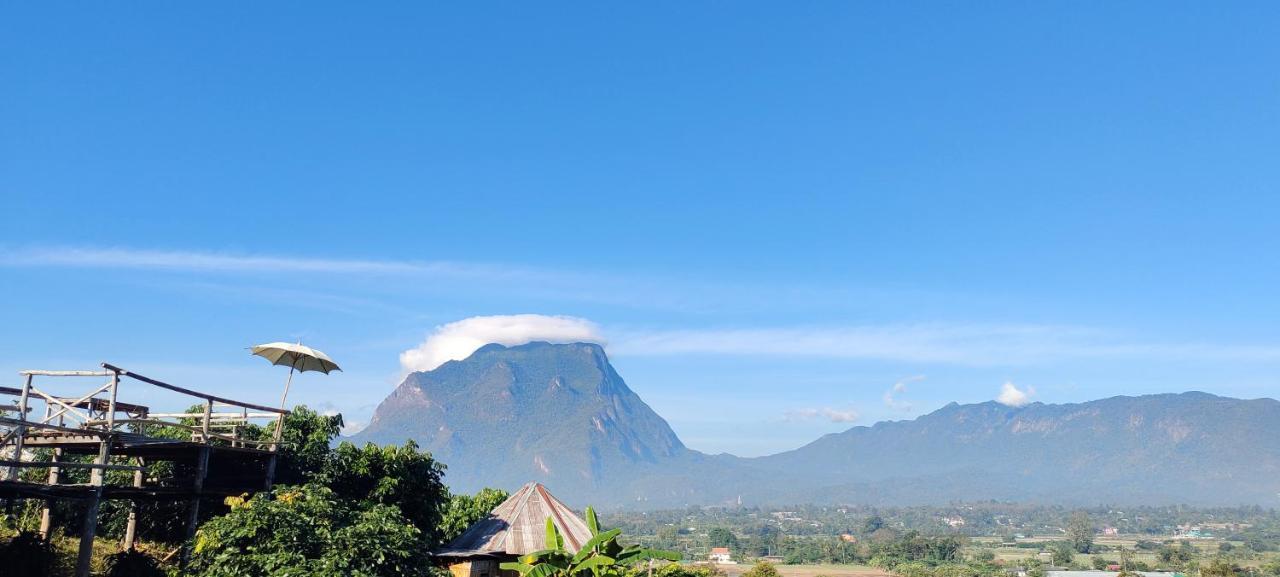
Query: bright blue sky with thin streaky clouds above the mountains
772	213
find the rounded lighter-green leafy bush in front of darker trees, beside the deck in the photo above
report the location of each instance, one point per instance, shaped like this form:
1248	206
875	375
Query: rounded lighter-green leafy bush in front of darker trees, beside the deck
308	532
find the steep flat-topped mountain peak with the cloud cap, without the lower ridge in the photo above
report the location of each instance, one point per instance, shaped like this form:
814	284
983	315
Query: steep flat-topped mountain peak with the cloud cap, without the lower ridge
556	414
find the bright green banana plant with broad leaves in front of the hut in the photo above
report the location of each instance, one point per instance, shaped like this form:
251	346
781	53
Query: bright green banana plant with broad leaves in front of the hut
600	557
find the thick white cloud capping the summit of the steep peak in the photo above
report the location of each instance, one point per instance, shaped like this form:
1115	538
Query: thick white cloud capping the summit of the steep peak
458	341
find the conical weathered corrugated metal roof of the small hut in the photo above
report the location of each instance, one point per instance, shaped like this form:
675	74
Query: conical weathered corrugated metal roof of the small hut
519	526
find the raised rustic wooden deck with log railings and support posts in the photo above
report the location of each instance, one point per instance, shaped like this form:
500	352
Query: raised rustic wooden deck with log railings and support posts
217	456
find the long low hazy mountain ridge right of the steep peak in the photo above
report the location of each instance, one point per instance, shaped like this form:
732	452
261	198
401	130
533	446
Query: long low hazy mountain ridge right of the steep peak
1153	450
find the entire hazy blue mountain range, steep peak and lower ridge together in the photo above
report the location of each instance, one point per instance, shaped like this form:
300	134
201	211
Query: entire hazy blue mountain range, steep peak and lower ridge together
559	414
